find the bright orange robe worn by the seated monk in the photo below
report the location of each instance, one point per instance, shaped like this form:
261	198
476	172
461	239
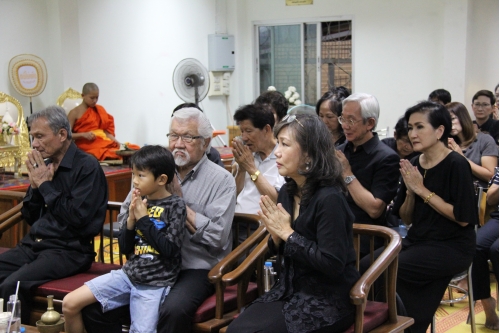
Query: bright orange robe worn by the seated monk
97	120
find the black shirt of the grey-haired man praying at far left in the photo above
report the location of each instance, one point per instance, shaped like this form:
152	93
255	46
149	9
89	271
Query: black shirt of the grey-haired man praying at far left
70	209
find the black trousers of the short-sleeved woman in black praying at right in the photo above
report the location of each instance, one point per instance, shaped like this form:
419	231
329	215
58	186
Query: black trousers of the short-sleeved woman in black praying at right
424	271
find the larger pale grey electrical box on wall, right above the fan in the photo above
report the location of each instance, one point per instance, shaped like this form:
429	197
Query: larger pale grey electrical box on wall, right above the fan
220	53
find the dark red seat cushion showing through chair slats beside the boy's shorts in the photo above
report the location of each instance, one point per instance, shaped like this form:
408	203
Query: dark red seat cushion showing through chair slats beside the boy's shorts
206	310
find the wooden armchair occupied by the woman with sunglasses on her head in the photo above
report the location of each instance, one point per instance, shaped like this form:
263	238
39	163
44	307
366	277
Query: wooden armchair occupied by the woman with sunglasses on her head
371	316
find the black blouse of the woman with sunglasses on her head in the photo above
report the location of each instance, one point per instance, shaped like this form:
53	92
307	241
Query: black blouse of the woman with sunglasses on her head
319	262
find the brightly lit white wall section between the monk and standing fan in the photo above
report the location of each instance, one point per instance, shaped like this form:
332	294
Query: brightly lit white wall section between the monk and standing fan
130	50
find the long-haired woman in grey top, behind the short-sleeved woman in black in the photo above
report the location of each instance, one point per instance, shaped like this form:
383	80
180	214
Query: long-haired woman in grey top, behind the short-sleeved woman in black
478	148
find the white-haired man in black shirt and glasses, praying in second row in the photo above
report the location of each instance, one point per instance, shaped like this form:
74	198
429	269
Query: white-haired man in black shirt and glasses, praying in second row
370	168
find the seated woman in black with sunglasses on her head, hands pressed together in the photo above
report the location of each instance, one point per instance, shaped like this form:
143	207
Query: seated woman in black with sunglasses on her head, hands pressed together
311	227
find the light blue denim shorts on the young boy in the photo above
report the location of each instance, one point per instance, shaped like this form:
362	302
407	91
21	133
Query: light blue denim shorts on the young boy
115	289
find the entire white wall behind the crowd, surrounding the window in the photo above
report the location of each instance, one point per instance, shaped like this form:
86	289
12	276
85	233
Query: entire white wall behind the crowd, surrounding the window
402	50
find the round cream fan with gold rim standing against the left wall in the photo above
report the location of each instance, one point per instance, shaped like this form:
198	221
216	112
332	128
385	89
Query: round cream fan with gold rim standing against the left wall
28	60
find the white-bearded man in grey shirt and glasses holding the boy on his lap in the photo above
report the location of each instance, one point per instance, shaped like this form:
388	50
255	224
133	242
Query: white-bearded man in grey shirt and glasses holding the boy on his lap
209	192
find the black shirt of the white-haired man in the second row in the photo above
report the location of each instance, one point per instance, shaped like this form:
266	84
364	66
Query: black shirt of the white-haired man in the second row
376	166
